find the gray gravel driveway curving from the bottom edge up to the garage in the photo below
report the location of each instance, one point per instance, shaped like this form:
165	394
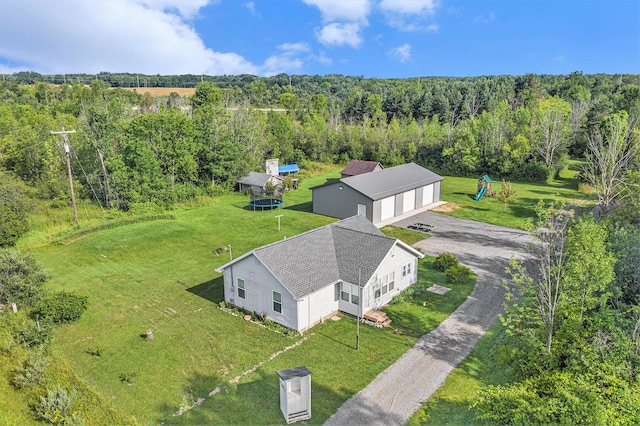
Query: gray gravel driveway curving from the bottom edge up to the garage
396	393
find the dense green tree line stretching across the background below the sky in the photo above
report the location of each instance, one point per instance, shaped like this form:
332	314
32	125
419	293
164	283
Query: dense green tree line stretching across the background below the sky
131	149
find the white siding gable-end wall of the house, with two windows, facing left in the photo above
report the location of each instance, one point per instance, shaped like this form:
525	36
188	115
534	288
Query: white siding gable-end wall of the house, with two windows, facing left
259	287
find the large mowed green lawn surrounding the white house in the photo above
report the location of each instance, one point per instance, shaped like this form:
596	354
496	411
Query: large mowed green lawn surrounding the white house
211	366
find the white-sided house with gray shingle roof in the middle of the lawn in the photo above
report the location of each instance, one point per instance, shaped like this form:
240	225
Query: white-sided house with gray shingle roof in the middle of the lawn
348	266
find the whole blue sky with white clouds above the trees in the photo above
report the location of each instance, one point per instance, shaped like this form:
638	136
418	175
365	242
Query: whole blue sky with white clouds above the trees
369	38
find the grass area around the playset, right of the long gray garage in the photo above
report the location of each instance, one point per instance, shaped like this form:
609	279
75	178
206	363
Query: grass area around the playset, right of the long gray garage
461	191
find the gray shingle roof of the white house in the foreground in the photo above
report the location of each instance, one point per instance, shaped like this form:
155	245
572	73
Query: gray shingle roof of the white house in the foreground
340	251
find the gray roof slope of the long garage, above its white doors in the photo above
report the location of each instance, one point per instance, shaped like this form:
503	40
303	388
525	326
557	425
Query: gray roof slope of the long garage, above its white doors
391	181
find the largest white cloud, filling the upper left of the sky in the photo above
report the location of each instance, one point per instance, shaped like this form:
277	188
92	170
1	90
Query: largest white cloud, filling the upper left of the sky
145	36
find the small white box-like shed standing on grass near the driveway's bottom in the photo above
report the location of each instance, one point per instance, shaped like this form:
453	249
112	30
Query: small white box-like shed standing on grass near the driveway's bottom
295	393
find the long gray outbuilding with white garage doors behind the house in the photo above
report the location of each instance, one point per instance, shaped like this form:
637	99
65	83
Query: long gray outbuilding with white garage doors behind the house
382	197
